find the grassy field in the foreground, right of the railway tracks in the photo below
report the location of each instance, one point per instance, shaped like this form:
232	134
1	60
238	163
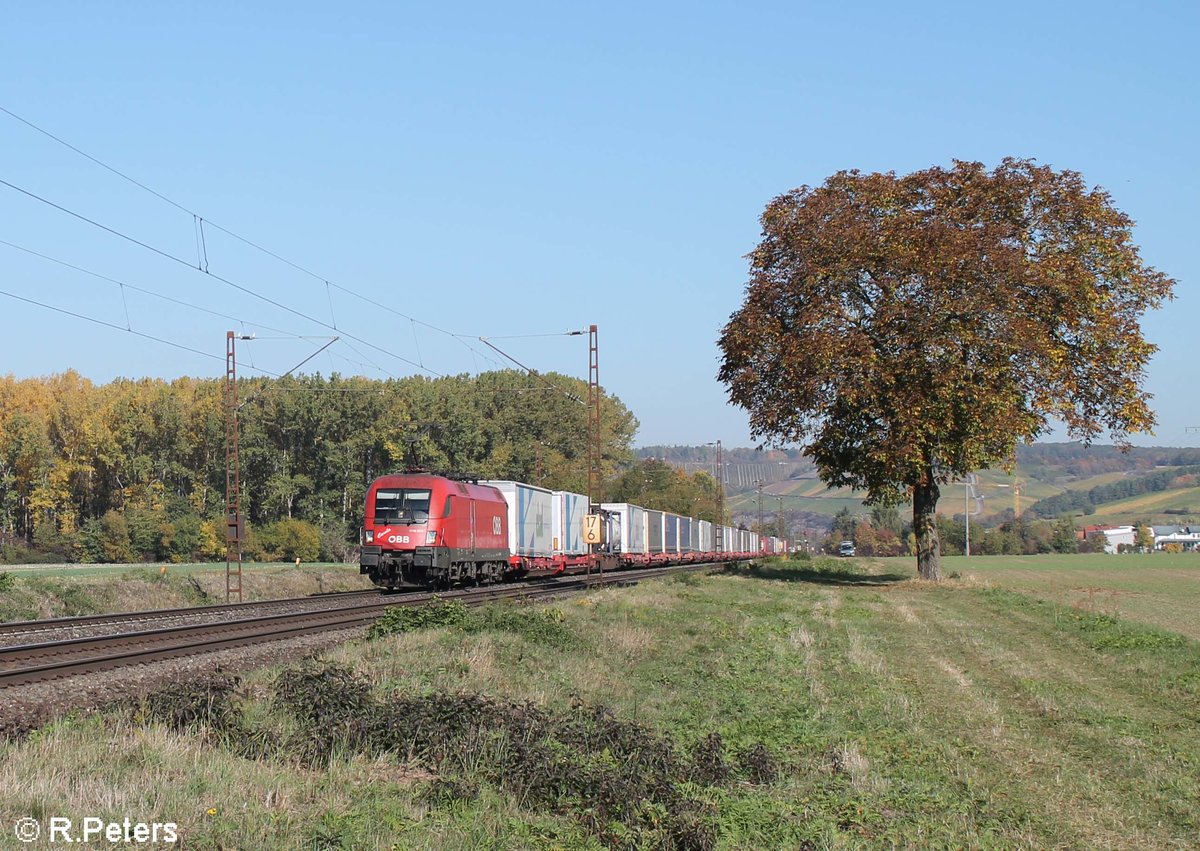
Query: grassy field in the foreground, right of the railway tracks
1031	704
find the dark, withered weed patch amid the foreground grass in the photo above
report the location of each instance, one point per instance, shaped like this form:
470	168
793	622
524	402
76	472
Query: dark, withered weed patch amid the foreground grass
622	782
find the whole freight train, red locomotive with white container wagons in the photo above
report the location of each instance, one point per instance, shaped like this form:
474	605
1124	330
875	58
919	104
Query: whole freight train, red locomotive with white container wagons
431	531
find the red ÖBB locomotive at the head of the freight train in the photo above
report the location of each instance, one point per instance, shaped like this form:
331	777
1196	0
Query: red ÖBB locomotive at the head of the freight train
428	531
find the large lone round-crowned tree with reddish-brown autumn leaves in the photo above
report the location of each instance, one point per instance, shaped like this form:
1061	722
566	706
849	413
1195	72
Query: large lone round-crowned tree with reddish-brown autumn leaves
911	329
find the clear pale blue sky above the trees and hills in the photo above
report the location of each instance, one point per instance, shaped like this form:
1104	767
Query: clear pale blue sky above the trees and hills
511	170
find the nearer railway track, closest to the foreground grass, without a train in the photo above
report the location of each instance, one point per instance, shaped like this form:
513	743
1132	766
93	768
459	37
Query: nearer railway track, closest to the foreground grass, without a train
25	664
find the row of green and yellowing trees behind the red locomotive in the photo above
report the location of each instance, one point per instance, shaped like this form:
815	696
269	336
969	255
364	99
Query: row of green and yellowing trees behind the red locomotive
136	469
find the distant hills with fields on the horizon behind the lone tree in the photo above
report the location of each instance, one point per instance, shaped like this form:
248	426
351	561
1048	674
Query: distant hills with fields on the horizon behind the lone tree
1155	484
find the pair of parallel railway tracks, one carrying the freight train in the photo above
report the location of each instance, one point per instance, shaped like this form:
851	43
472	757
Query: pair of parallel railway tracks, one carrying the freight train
143	639
